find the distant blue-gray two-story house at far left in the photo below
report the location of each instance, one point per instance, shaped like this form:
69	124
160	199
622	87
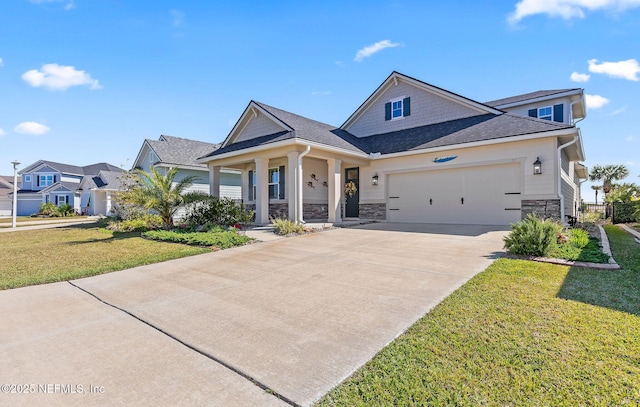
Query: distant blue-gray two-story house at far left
48	181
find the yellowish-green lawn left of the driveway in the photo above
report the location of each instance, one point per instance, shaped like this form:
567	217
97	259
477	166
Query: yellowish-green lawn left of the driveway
48	255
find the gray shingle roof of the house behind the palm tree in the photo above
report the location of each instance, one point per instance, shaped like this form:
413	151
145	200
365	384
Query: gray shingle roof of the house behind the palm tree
180	151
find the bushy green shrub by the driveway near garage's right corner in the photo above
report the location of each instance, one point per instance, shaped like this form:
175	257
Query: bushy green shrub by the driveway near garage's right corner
532	236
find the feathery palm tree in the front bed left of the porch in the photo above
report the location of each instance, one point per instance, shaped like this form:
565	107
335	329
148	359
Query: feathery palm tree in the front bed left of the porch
159	193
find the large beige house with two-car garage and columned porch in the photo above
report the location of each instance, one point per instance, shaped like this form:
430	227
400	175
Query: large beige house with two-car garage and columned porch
415	152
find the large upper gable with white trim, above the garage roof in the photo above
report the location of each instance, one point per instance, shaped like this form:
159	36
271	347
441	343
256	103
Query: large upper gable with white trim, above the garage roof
429	104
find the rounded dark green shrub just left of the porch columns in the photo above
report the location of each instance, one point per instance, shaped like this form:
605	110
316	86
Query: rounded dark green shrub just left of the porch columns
218	211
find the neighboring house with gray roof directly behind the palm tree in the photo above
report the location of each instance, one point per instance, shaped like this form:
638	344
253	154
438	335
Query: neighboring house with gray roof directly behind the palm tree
168	152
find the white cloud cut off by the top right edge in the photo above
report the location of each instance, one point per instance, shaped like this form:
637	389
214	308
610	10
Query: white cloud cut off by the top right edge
567	9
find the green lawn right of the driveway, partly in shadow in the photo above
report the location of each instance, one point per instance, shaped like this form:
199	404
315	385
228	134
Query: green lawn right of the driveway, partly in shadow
518	334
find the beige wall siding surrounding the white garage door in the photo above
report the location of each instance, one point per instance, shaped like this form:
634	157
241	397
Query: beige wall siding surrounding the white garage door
522	152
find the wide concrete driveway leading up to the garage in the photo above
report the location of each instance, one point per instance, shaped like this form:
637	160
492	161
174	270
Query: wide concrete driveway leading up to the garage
274	323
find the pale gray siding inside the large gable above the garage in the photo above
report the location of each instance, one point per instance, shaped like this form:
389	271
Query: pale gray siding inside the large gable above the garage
426	108
